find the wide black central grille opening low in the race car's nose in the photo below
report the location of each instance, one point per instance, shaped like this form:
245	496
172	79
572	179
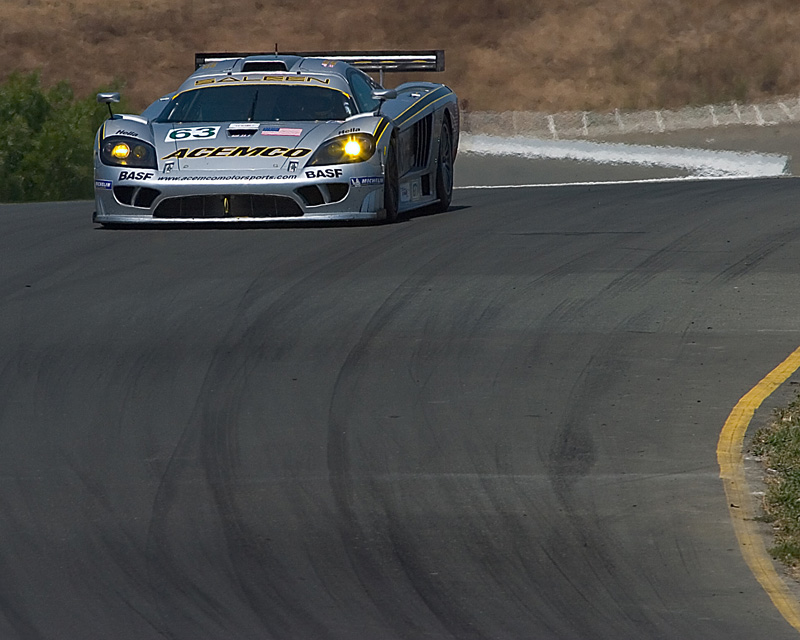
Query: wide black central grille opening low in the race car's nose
229	206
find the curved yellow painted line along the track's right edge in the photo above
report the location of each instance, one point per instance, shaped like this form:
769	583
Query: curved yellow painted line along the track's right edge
731	470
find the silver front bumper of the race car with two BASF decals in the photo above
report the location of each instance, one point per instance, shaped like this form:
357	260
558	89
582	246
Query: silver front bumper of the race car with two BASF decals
342	192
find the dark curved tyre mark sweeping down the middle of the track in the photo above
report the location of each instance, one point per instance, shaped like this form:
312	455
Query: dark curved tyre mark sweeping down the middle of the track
363	510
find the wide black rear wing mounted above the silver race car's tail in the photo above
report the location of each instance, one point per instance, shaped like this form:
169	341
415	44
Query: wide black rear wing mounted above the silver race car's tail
430	60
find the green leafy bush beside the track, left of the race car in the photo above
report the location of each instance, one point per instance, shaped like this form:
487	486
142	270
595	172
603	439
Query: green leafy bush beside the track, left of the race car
46	140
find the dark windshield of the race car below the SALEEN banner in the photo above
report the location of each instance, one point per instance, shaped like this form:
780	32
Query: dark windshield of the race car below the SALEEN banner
257	103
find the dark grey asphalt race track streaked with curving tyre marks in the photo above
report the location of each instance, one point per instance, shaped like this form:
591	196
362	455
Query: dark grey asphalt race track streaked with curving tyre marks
499	422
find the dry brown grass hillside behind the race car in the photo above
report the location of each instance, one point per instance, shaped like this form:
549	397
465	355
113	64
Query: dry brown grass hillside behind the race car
549	55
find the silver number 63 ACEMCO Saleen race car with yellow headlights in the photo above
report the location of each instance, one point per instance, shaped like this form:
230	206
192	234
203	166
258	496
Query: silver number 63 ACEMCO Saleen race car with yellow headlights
290	137
